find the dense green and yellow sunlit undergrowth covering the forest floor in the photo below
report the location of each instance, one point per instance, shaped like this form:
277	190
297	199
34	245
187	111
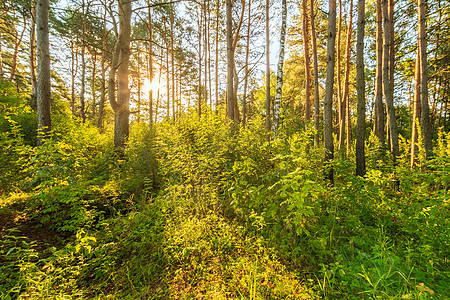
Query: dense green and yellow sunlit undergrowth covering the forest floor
198	210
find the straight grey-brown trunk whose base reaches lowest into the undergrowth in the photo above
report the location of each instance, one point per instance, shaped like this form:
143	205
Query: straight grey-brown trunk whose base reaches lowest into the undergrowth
329	84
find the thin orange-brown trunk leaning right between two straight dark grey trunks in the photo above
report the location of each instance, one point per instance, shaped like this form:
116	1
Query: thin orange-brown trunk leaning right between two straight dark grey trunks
345	110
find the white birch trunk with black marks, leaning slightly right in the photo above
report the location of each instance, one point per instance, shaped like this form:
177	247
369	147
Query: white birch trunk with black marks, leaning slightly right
276	113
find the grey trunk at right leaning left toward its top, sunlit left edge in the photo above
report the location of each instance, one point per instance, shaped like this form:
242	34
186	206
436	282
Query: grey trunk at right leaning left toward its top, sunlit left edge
387	79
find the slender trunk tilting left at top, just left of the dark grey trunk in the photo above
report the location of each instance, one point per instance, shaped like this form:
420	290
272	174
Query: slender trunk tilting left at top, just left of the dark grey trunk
316	75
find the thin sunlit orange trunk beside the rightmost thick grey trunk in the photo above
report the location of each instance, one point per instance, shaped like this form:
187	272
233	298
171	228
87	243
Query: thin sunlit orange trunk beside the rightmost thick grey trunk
417	108
